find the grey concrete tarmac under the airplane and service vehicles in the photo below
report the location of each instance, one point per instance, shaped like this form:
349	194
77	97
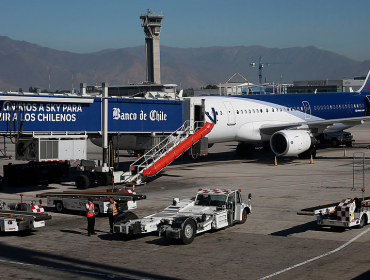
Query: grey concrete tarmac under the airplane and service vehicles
274	243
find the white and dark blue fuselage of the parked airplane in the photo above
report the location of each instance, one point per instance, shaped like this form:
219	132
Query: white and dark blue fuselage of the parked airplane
240	118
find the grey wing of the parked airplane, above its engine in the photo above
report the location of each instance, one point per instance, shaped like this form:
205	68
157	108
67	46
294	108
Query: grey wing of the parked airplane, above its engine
314	126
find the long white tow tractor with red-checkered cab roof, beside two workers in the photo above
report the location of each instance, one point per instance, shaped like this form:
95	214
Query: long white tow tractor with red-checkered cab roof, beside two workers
210	209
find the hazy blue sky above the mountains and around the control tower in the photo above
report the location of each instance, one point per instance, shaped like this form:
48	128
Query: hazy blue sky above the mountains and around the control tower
84	26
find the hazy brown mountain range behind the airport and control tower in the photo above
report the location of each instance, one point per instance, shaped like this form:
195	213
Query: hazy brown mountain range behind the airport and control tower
25	65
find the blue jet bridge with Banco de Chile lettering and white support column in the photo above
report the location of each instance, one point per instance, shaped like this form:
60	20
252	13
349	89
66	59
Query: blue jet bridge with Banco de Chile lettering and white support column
54	127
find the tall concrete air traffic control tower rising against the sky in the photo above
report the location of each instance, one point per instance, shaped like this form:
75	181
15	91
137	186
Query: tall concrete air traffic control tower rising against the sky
152	24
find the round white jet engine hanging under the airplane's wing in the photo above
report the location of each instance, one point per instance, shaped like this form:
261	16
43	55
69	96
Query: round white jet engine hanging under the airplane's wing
291	142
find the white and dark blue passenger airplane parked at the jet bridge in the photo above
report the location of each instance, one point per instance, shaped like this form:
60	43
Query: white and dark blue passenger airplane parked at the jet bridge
290	122
